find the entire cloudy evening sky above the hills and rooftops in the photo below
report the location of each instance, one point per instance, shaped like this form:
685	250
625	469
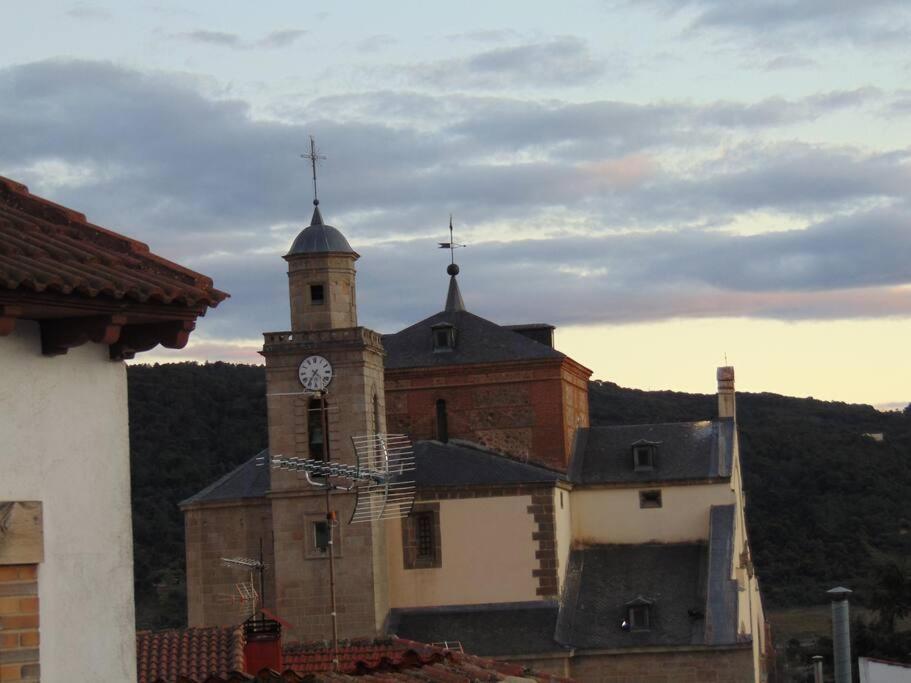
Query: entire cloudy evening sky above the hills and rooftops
675	184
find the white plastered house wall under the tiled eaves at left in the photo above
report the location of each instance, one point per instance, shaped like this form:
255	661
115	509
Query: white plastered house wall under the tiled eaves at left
64	441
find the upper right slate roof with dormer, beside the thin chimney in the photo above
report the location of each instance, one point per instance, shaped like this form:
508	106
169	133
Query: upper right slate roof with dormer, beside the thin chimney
685	451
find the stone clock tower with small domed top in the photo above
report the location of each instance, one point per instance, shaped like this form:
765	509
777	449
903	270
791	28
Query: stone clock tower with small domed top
324	343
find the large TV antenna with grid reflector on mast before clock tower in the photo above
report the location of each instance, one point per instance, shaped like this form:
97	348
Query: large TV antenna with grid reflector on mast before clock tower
379	480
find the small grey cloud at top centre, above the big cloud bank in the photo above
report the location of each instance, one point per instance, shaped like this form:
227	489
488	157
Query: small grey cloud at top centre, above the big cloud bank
562	61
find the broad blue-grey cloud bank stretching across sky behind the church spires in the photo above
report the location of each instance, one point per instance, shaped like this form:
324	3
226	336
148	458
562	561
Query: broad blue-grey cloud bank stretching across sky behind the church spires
626	232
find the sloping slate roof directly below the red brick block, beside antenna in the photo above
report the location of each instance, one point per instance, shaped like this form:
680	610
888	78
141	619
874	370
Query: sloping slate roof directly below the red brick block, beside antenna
461	463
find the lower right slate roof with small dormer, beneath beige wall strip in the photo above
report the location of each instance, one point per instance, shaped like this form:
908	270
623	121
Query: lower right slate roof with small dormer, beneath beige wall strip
601	580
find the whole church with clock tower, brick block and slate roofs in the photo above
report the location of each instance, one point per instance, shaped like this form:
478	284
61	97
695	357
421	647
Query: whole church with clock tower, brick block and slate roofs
588	552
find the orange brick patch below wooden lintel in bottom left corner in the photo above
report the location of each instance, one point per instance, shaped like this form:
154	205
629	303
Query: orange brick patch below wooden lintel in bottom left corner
19	637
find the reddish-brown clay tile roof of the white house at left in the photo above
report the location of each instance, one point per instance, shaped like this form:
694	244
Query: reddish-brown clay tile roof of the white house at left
45	247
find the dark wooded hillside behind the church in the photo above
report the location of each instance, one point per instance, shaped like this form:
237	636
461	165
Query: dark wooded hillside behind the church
824	502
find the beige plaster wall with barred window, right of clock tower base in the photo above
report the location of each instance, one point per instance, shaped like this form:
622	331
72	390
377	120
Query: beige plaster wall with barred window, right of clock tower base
476	535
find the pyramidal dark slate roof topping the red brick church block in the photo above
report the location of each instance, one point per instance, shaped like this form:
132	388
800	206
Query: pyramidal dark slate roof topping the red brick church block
477	341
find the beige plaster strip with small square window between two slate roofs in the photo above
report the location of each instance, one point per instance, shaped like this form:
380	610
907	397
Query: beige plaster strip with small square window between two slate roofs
614	515
